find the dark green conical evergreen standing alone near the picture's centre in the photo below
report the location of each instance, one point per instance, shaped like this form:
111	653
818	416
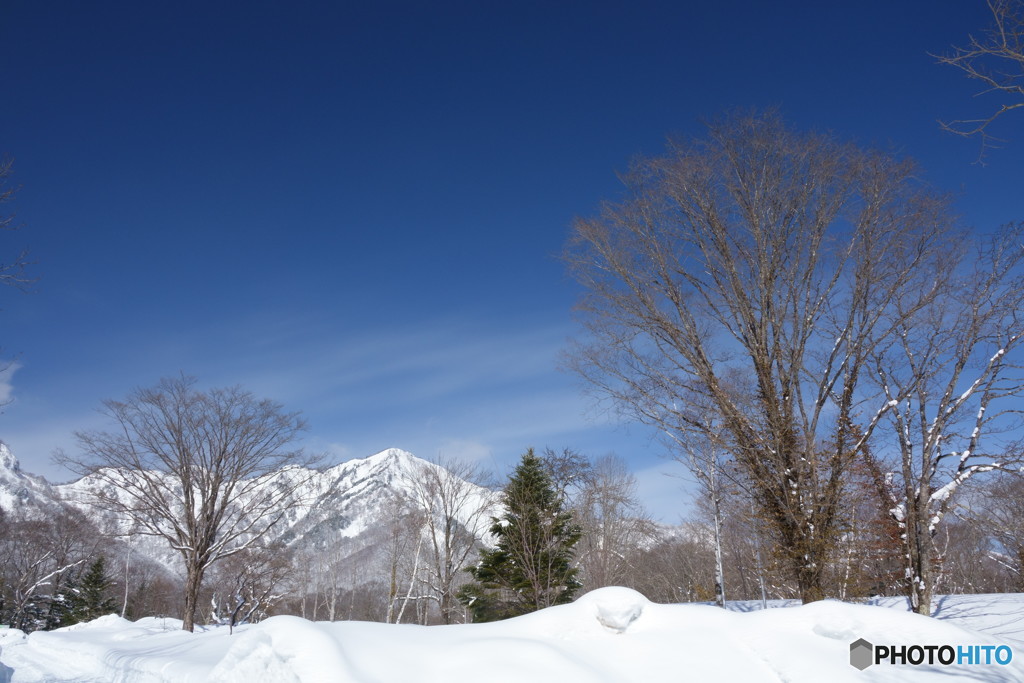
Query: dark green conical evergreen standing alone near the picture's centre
531	567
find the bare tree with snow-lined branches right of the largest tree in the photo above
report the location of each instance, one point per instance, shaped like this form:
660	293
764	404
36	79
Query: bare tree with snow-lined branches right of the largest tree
954	377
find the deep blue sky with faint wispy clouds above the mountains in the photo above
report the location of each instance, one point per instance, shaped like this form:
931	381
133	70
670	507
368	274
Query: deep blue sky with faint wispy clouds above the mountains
357	208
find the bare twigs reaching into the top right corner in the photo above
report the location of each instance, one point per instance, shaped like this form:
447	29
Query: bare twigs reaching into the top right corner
997	60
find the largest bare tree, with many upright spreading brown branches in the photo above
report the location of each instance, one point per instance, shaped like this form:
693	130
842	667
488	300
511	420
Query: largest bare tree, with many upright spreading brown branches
749	274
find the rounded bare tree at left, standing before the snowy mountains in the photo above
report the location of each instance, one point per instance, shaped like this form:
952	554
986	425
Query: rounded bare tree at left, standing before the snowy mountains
211	473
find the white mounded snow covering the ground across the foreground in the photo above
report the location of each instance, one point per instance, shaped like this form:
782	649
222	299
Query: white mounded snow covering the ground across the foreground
612	634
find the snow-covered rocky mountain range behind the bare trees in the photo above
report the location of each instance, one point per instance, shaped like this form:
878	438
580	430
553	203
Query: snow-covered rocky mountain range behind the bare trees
356	502
